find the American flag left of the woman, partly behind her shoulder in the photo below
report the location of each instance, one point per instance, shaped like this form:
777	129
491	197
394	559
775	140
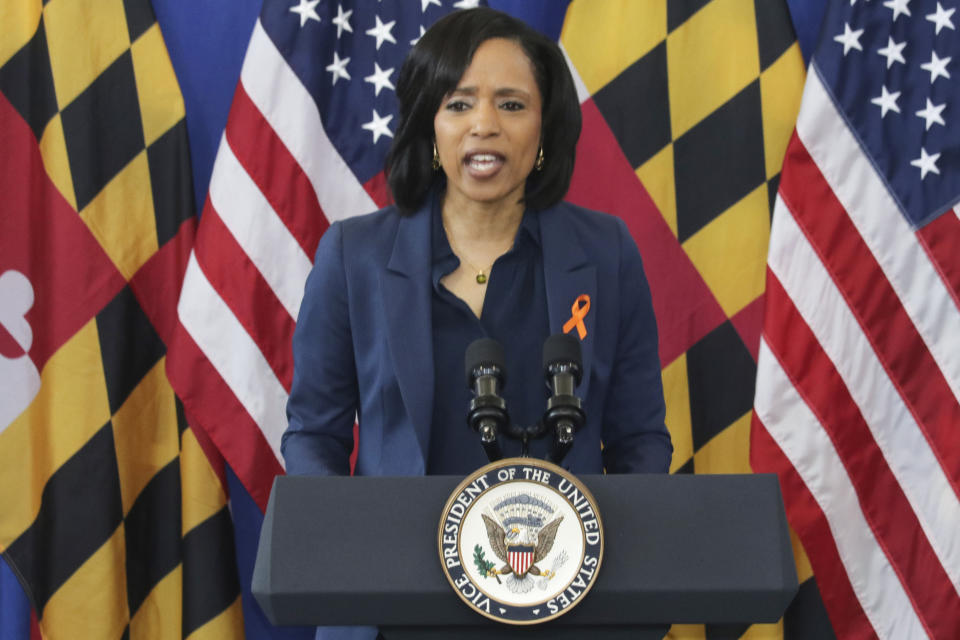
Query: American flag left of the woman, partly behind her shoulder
310	124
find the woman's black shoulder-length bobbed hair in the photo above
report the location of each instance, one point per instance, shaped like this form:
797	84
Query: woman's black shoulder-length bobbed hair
432	70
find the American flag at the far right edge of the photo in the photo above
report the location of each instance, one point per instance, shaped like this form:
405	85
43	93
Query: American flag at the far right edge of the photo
859	371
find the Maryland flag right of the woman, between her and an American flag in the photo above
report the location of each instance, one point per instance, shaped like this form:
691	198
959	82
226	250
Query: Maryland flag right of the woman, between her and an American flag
701	97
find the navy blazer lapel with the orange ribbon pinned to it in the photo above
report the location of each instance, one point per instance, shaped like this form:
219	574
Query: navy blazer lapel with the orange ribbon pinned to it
568	275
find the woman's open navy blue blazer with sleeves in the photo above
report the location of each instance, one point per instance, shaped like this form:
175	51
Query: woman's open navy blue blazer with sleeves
363	346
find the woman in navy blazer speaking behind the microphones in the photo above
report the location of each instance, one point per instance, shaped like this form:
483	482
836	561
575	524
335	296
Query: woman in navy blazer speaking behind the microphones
478	244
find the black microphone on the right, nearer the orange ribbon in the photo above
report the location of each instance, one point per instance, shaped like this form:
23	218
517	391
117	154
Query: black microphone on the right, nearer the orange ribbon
563	370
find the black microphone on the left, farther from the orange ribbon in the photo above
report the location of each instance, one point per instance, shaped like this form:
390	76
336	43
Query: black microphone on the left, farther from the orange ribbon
484	362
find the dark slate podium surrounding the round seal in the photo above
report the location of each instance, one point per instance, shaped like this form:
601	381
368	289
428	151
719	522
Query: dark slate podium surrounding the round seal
679	549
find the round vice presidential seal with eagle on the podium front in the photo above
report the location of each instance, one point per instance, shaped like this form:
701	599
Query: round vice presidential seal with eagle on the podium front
521	541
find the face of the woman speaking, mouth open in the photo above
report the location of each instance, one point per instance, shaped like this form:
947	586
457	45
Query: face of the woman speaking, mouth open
488	128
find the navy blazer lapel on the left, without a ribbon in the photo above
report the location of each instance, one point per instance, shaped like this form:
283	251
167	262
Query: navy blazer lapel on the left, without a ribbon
405	289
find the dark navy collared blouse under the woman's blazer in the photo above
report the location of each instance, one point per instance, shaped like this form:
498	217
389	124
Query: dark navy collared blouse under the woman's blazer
515	314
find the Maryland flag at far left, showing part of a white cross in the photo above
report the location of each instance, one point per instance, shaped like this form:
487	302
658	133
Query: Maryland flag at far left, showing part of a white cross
111	514
